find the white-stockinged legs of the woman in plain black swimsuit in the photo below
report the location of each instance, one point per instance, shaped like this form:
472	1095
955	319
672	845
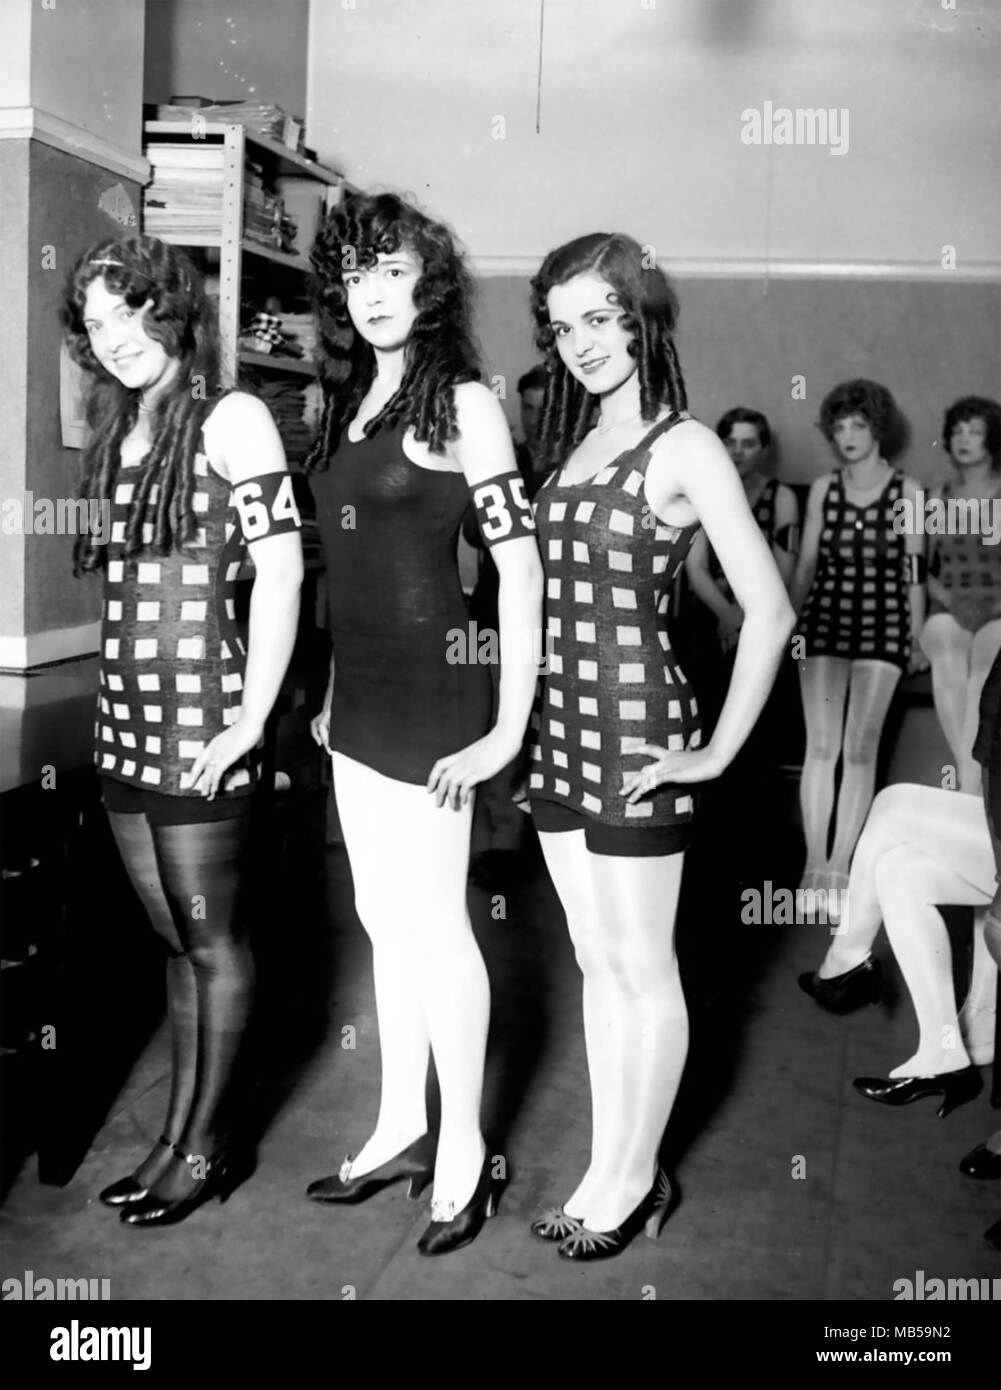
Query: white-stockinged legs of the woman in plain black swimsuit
409	862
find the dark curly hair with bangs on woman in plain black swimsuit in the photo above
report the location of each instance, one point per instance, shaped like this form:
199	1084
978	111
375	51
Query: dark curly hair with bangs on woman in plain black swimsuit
441	352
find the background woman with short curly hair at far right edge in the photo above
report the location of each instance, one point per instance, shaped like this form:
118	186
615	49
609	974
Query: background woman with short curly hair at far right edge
963	633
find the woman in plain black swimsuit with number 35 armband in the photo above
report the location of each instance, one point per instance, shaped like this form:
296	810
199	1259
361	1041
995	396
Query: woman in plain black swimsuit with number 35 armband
408	436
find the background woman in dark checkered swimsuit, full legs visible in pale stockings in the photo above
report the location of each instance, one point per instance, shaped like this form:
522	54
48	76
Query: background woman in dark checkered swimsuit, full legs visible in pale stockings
858	587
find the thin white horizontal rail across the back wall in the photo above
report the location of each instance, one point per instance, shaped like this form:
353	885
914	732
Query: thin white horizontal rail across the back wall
742	269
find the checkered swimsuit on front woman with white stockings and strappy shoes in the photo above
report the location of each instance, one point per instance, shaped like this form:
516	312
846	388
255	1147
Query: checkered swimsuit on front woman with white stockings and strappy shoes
612	682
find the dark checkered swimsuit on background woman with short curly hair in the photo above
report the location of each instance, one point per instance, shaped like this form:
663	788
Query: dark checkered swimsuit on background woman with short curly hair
858	604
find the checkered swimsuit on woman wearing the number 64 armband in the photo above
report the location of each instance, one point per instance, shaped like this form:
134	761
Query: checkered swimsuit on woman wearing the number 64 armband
172	667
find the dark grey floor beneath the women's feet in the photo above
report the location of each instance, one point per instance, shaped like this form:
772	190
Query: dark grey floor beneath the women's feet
767	1093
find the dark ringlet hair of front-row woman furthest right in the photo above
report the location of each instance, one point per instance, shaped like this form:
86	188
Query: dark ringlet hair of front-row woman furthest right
650	313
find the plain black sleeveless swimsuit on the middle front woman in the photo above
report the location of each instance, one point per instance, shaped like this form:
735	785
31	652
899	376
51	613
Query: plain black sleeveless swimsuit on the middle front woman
390	530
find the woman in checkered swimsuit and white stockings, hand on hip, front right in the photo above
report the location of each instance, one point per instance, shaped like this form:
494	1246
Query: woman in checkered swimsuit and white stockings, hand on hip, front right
618	749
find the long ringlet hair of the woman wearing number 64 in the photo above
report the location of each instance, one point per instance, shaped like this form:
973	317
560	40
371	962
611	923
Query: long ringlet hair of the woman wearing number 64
144	269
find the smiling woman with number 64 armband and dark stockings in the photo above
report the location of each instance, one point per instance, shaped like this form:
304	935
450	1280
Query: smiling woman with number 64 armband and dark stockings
187	484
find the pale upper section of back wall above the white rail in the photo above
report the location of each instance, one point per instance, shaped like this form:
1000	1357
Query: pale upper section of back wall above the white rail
642	123
